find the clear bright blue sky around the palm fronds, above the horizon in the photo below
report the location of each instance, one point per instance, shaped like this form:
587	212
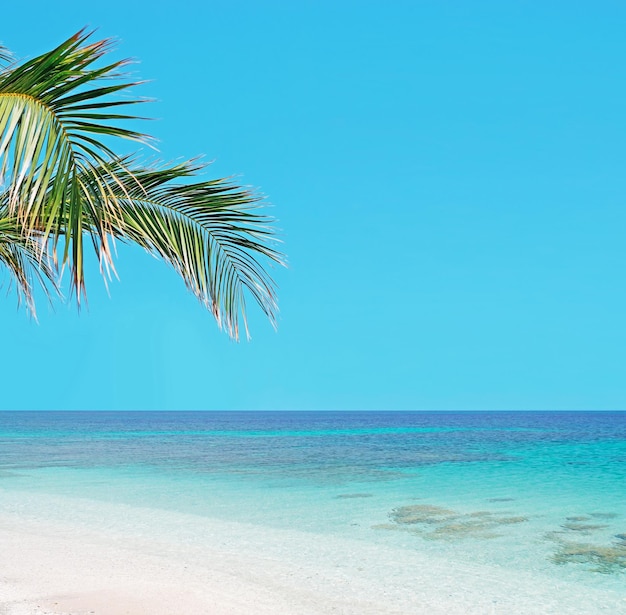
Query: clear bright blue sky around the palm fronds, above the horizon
450	184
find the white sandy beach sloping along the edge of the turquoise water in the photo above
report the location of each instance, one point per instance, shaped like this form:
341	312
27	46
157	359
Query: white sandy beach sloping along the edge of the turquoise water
159	563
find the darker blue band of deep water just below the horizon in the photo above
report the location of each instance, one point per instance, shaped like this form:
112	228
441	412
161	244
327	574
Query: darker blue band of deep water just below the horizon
224	441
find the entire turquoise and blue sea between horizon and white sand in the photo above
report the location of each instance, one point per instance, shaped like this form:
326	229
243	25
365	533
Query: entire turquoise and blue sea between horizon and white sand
536	491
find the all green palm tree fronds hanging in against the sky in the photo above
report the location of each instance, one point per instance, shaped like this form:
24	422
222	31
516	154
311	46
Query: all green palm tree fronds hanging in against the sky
61	183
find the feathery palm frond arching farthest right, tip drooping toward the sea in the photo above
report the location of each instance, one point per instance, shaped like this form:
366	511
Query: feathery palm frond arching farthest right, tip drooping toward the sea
208	231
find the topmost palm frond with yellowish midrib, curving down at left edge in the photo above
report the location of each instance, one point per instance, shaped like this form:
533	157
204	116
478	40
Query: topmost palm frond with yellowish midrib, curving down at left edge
55	122
